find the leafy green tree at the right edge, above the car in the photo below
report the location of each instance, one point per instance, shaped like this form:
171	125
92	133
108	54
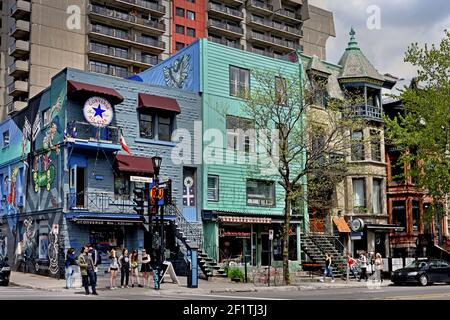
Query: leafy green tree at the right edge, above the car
422	130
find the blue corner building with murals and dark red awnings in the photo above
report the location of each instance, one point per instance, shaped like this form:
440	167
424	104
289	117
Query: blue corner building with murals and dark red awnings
67	179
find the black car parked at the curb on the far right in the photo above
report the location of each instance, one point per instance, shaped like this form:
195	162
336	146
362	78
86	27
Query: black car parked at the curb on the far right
424	272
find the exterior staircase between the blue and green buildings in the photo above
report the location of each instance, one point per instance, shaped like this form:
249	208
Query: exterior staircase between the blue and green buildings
190	235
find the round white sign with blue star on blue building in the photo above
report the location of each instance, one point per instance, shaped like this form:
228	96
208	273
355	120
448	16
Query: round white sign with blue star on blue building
98	112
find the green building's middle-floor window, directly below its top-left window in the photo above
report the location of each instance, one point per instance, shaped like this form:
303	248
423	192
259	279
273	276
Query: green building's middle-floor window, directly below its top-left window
240	136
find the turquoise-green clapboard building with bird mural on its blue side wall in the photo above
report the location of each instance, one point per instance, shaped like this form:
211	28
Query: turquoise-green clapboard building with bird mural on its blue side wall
239	204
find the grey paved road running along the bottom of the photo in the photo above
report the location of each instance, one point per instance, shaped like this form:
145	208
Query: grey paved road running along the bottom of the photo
436	292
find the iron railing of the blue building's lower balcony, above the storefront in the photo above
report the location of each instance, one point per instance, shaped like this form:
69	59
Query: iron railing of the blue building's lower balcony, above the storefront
100	202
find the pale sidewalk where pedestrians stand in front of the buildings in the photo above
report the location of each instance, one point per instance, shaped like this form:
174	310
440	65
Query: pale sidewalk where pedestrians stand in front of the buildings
214	285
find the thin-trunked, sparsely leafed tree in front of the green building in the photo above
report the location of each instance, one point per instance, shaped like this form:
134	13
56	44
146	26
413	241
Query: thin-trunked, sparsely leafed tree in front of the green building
306	144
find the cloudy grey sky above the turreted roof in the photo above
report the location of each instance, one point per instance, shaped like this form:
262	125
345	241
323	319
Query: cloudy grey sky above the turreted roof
401	22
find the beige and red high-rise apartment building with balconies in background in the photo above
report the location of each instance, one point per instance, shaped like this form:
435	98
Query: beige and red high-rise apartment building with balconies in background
123	37
